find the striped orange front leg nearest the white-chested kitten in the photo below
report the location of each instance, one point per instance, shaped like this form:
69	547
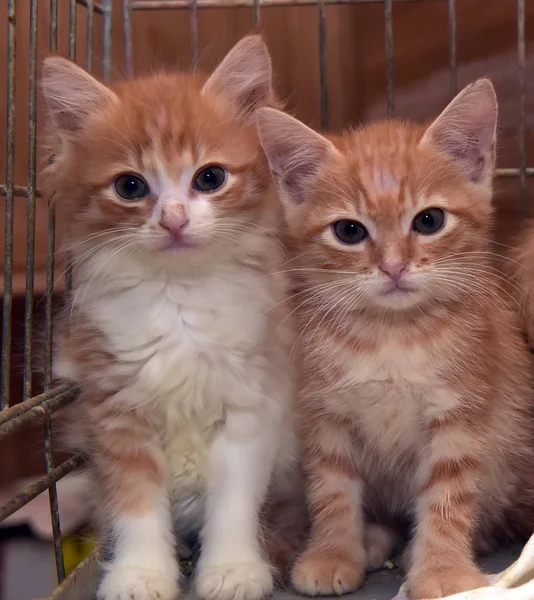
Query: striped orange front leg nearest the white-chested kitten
334	561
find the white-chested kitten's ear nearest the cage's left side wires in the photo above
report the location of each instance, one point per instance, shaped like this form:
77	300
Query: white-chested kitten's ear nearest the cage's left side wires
71	94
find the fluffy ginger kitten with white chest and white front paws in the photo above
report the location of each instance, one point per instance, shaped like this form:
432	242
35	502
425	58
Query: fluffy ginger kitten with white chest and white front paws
185	375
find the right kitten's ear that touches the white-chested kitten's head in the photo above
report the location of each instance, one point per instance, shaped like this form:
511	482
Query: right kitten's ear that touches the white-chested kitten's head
295	152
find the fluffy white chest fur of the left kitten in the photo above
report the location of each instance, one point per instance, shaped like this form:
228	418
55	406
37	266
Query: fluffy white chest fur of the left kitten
188	347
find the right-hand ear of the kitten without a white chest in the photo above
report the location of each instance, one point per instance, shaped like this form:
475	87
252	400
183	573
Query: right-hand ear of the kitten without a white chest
466	131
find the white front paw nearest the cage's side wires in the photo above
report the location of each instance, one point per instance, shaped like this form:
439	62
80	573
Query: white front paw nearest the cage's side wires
131	583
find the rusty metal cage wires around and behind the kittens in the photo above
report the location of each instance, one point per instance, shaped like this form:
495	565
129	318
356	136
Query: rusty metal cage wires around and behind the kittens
15	412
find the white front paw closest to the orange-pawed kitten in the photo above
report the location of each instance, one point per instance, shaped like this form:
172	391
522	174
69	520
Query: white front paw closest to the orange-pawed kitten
235	581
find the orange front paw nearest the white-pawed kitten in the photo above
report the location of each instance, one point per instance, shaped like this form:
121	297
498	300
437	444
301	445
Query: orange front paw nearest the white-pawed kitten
326	575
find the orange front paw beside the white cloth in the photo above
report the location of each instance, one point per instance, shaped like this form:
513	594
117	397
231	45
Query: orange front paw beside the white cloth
445	582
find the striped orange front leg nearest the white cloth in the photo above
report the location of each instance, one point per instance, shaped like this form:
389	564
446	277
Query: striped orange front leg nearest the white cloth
442	552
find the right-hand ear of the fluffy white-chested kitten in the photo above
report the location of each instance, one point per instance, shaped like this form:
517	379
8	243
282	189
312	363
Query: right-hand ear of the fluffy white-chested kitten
245	75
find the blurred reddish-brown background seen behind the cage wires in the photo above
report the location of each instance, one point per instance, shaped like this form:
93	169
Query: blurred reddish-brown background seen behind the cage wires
356	76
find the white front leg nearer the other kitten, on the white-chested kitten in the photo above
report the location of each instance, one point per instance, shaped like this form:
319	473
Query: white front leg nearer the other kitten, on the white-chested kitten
241	463
